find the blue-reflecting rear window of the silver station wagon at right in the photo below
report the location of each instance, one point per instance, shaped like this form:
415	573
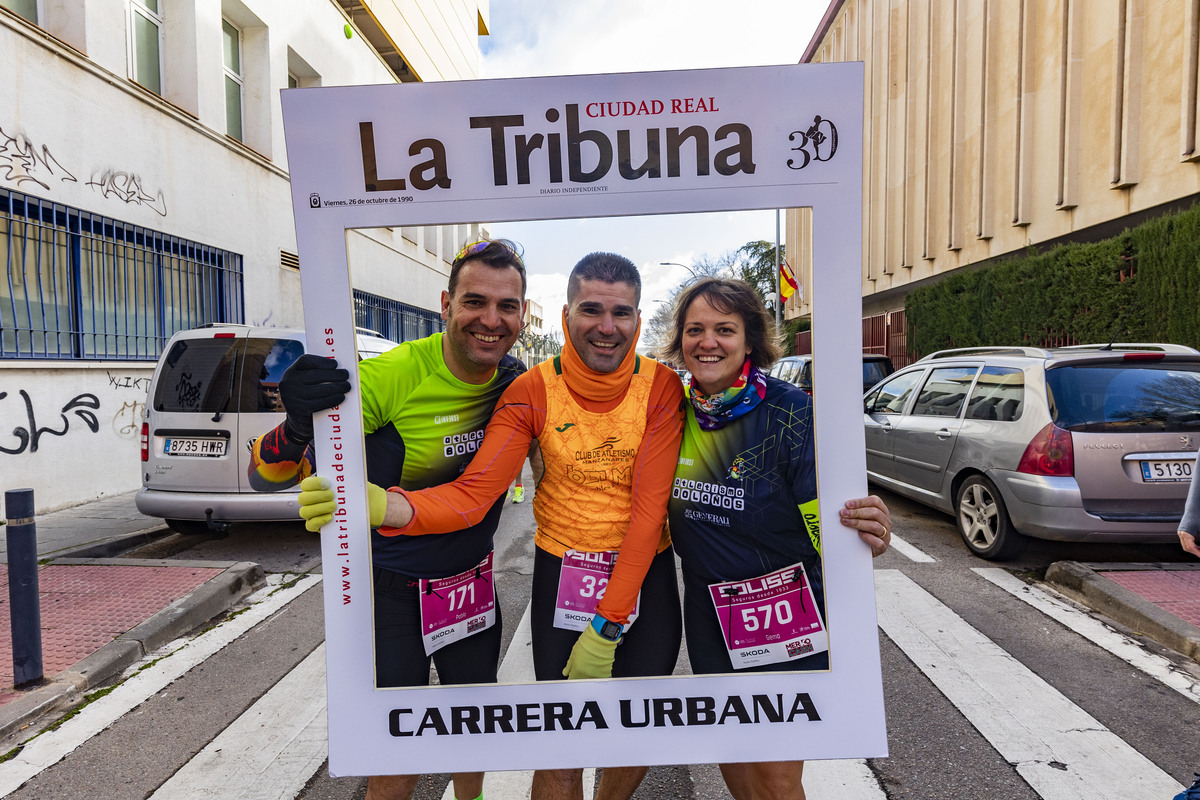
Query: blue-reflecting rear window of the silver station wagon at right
1126	398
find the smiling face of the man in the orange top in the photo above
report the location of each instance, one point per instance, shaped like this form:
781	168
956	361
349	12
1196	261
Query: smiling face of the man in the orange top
602	322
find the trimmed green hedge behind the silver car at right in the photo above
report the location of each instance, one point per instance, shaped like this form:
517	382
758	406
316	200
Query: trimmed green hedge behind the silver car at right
1142	286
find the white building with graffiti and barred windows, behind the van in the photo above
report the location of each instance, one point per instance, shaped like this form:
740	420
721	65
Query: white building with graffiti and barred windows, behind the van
145	190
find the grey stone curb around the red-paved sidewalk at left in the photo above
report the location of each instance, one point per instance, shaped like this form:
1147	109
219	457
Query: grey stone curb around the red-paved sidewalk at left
203	604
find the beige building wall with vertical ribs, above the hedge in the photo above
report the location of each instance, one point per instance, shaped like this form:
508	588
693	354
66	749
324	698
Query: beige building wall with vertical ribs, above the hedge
993	125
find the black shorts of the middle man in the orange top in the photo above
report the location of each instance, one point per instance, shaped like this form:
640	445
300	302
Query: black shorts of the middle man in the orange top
650	648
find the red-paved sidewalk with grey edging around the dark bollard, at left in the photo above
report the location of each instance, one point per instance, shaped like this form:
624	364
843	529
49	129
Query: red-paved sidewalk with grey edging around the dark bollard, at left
101	615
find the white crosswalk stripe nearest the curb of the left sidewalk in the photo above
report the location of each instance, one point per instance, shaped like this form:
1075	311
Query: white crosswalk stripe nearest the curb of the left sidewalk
52	747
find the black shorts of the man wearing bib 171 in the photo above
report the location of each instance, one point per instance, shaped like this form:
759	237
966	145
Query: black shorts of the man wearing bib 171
400	653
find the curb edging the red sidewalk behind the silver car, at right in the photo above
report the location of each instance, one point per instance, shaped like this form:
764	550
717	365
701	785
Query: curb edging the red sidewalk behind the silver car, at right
1084	585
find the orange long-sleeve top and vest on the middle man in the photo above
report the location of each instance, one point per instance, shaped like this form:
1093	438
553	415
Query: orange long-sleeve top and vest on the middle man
563	509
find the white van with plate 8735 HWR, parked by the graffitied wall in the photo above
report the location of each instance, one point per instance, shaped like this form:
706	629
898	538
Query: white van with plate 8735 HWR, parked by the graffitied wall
214	392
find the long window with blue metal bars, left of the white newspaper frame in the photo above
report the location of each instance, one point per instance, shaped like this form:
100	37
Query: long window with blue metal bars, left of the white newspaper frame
82	286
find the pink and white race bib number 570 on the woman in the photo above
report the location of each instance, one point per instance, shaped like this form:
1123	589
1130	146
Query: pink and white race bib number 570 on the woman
770	619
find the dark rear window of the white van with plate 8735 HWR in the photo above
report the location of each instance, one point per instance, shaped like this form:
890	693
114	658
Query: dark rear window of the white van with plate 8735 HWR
224	375
